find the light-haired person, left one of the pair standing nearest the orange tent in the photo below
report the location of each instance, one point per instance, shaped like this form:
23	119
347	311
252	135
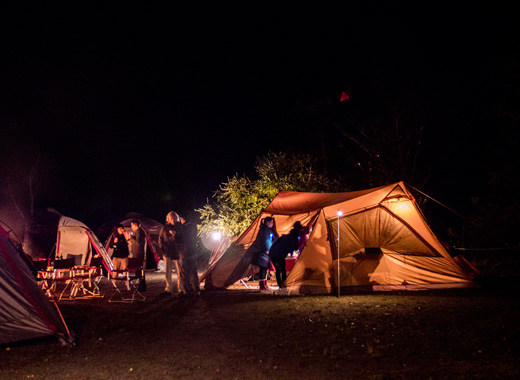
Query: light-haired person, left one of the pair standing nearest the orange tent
170	245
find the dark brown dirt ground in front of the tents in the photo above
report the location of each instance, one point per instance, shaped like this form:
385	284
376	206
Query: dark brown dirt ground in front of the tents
248	334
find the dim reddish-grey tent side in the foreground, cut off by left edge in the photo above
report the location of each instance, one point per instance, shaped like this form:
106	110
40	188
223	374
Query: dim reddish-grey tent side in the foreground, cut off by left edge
25	311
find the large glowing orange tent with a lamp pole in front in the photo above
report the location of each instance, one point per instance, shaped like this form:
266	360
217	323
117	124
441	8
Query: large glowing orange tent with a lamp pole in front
384	244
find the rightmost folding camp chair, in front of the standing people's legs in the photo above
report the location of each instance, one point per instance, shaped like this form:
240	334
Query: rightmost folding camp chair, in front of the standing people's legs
132	278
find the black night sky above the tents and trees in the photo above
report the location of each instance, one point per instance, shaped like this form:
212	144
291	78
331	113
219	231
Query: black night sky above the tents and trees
150	109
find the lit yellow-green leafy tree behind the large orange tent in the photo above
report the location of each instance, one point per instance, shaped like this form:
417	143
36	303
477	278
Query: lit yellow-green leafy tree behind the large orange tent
241	199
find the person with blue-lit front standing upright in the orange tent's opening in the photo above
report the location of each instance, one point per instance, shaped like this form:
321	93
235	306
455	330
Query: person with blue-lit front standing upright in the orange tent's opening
264	240
